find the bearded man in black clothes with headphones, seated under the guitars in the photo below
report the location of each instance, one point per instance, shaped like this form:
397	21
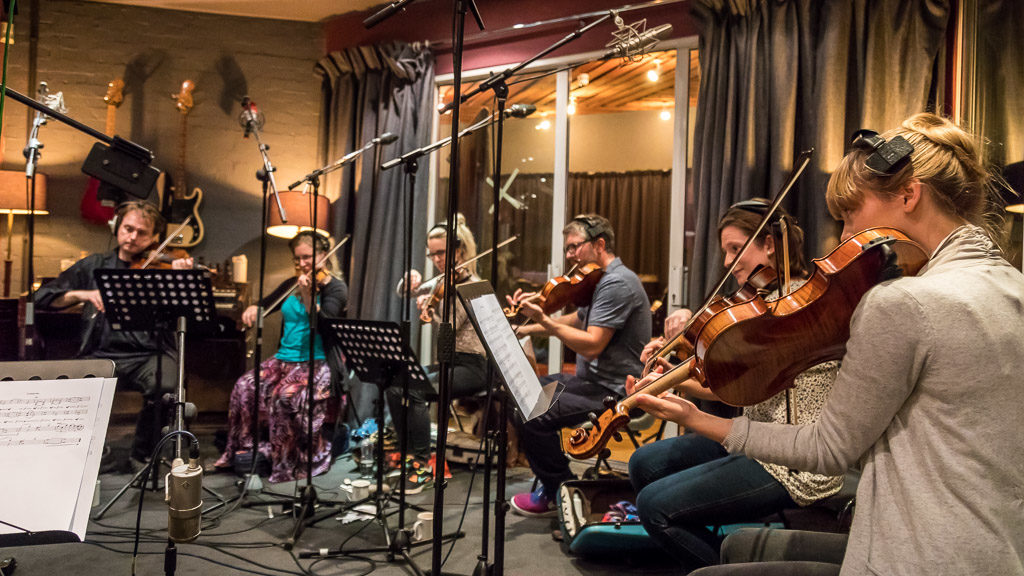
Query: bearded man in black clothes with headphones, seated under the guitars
138	226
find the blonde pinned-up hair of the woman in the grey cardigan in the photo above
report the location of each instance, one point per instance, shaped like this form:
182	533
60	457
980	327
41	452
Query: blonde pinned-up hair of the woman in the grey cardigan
946	158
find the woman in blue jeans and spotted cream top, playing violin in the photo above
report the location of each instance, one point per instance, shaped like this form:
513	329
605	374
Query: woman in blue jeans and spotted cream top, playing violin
689	483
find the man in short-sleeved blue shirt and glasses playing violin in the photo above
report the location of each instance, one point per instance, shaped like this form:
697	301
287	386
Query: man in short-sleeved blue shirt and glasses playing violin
608	337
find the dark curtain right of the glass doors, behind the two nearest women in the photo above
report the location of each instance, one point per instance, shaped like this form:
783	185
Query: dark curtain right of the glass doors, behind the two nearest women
783	76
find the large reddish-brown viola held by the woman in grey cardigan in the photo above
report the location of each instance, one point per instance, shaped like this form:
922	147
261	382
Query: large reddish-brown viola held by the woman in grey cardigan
750	352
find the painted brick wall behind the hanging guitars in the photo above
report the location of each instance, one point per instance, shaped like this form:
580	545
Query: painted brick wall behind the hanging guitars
84	46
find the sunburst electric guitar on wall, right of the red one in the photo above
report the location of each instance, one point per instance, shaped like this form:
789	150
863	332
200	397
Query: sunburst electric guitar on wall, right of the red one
180	204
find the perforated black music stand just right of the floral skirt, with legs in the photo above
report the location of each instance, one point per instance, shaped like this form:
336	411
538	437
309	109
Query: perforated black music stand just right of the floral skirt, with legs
378	354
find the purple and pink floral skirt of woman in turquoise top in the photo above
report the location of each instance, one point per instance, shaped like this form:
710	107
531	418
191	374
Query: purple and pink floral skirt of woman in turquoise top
283	410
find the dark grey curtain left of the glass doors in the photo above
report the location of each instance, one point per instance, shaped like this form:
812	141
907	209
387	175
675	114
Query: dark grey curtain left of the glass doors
367	92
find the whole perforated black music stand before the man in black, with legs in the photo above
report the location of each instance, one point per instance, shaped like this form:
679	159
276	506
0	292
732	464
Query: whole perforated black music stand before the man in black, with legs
155	301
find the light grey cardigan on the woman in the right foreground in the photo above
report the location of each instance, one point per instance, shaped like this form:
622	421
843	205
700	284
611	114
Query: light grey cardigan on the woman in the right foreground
929	400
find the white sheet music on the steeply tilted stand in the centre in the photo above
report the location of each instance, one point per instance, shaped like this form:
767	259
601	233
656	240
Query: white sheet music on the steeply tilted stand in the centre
509	357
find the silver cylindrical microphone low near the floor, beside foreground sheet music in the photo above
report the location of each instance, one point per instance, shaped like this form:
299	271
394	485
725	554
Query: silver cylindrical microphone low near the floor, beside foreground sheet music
184	495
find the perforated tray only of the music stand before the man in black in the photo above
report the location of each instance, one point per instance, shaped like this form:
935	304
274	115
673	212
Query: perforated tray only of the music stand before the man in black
146	300
